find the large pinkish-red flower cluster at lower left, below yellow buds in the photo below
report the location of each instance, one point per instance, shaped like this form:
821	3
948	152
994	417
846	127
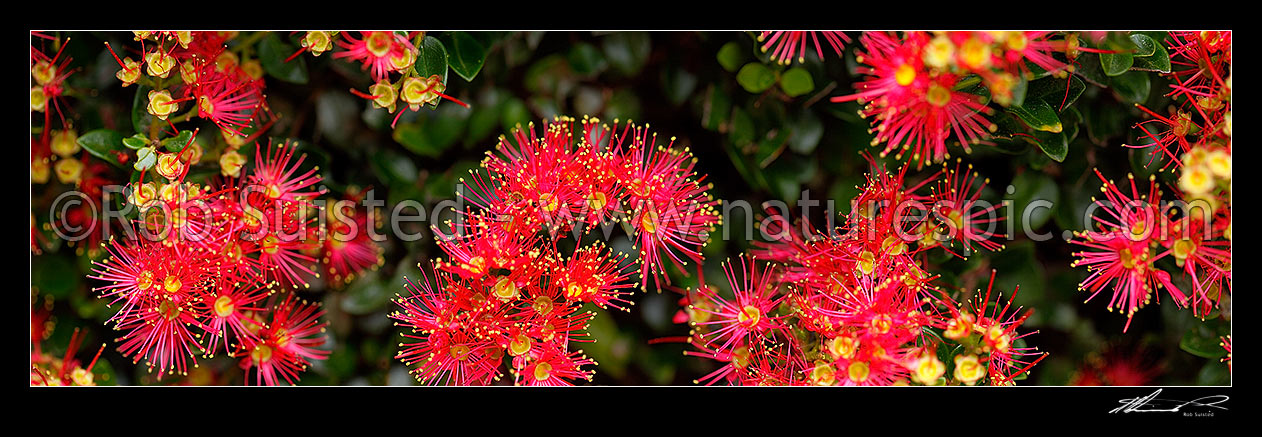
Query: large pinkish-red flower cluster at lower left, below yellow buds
211	266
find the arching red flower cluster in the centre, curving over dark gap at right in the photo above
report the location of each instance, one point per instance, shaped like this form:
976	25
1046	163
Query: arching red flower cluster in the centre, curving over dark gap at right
508	290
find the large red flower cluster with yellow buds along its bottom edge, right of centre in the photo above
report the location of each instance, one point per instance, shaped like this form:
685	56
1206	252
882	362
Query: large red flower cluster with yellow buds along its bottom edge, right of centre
860	308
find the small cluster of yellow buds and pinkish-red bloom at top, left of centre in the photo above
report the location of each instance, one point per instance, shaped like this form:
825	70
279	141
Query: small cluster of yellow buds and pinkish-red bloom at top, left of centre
384	54
